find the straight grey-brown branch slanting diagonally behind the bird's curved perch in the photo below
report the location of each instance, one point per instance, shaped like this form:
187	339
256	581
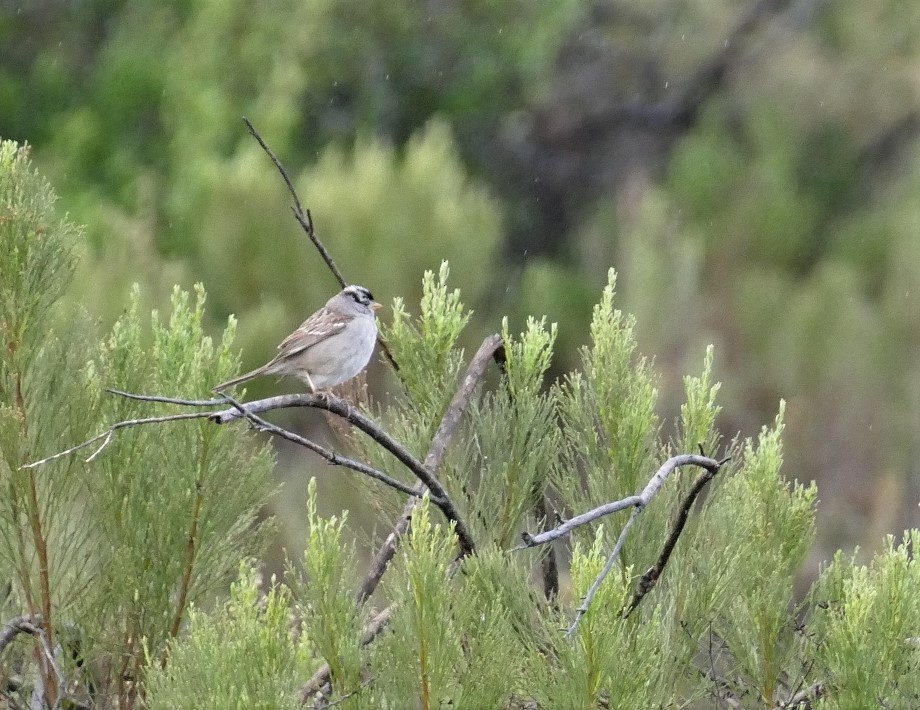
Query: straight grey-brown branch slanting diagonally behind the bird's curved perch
433	461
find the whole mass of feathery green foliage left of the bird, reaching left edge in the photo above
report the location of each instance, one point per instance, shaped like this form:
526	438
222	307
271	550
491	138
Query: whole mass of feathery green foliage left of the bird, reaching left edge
112	546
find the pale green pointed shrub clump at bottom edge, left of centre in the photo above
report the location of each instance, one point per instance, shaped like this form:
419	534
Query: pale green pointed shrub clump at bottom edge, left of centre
246	654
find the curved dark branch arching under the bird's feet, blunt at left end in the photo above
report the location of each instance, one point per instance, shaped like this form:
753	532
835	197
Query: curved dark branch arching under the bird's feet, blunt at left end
343	409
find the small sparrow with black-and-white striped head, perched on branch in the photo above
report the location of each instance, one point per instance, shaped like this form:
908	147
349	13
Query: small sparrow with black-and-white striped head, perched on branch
330	347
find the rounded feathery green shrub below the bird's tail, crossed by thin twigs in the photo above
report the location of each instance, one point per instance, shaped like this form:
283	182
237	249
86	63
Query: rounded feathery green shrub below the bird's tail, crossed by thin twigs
193	487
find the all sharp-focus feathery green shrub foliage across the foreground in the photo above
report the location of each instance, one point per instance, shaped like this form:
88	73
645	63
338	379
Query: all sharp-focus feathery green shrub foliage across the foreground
120	552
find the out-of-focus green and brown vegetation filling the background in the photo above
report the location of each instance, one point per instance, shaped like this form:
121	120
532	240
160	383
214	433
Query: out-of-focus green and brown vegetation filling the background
749	167
